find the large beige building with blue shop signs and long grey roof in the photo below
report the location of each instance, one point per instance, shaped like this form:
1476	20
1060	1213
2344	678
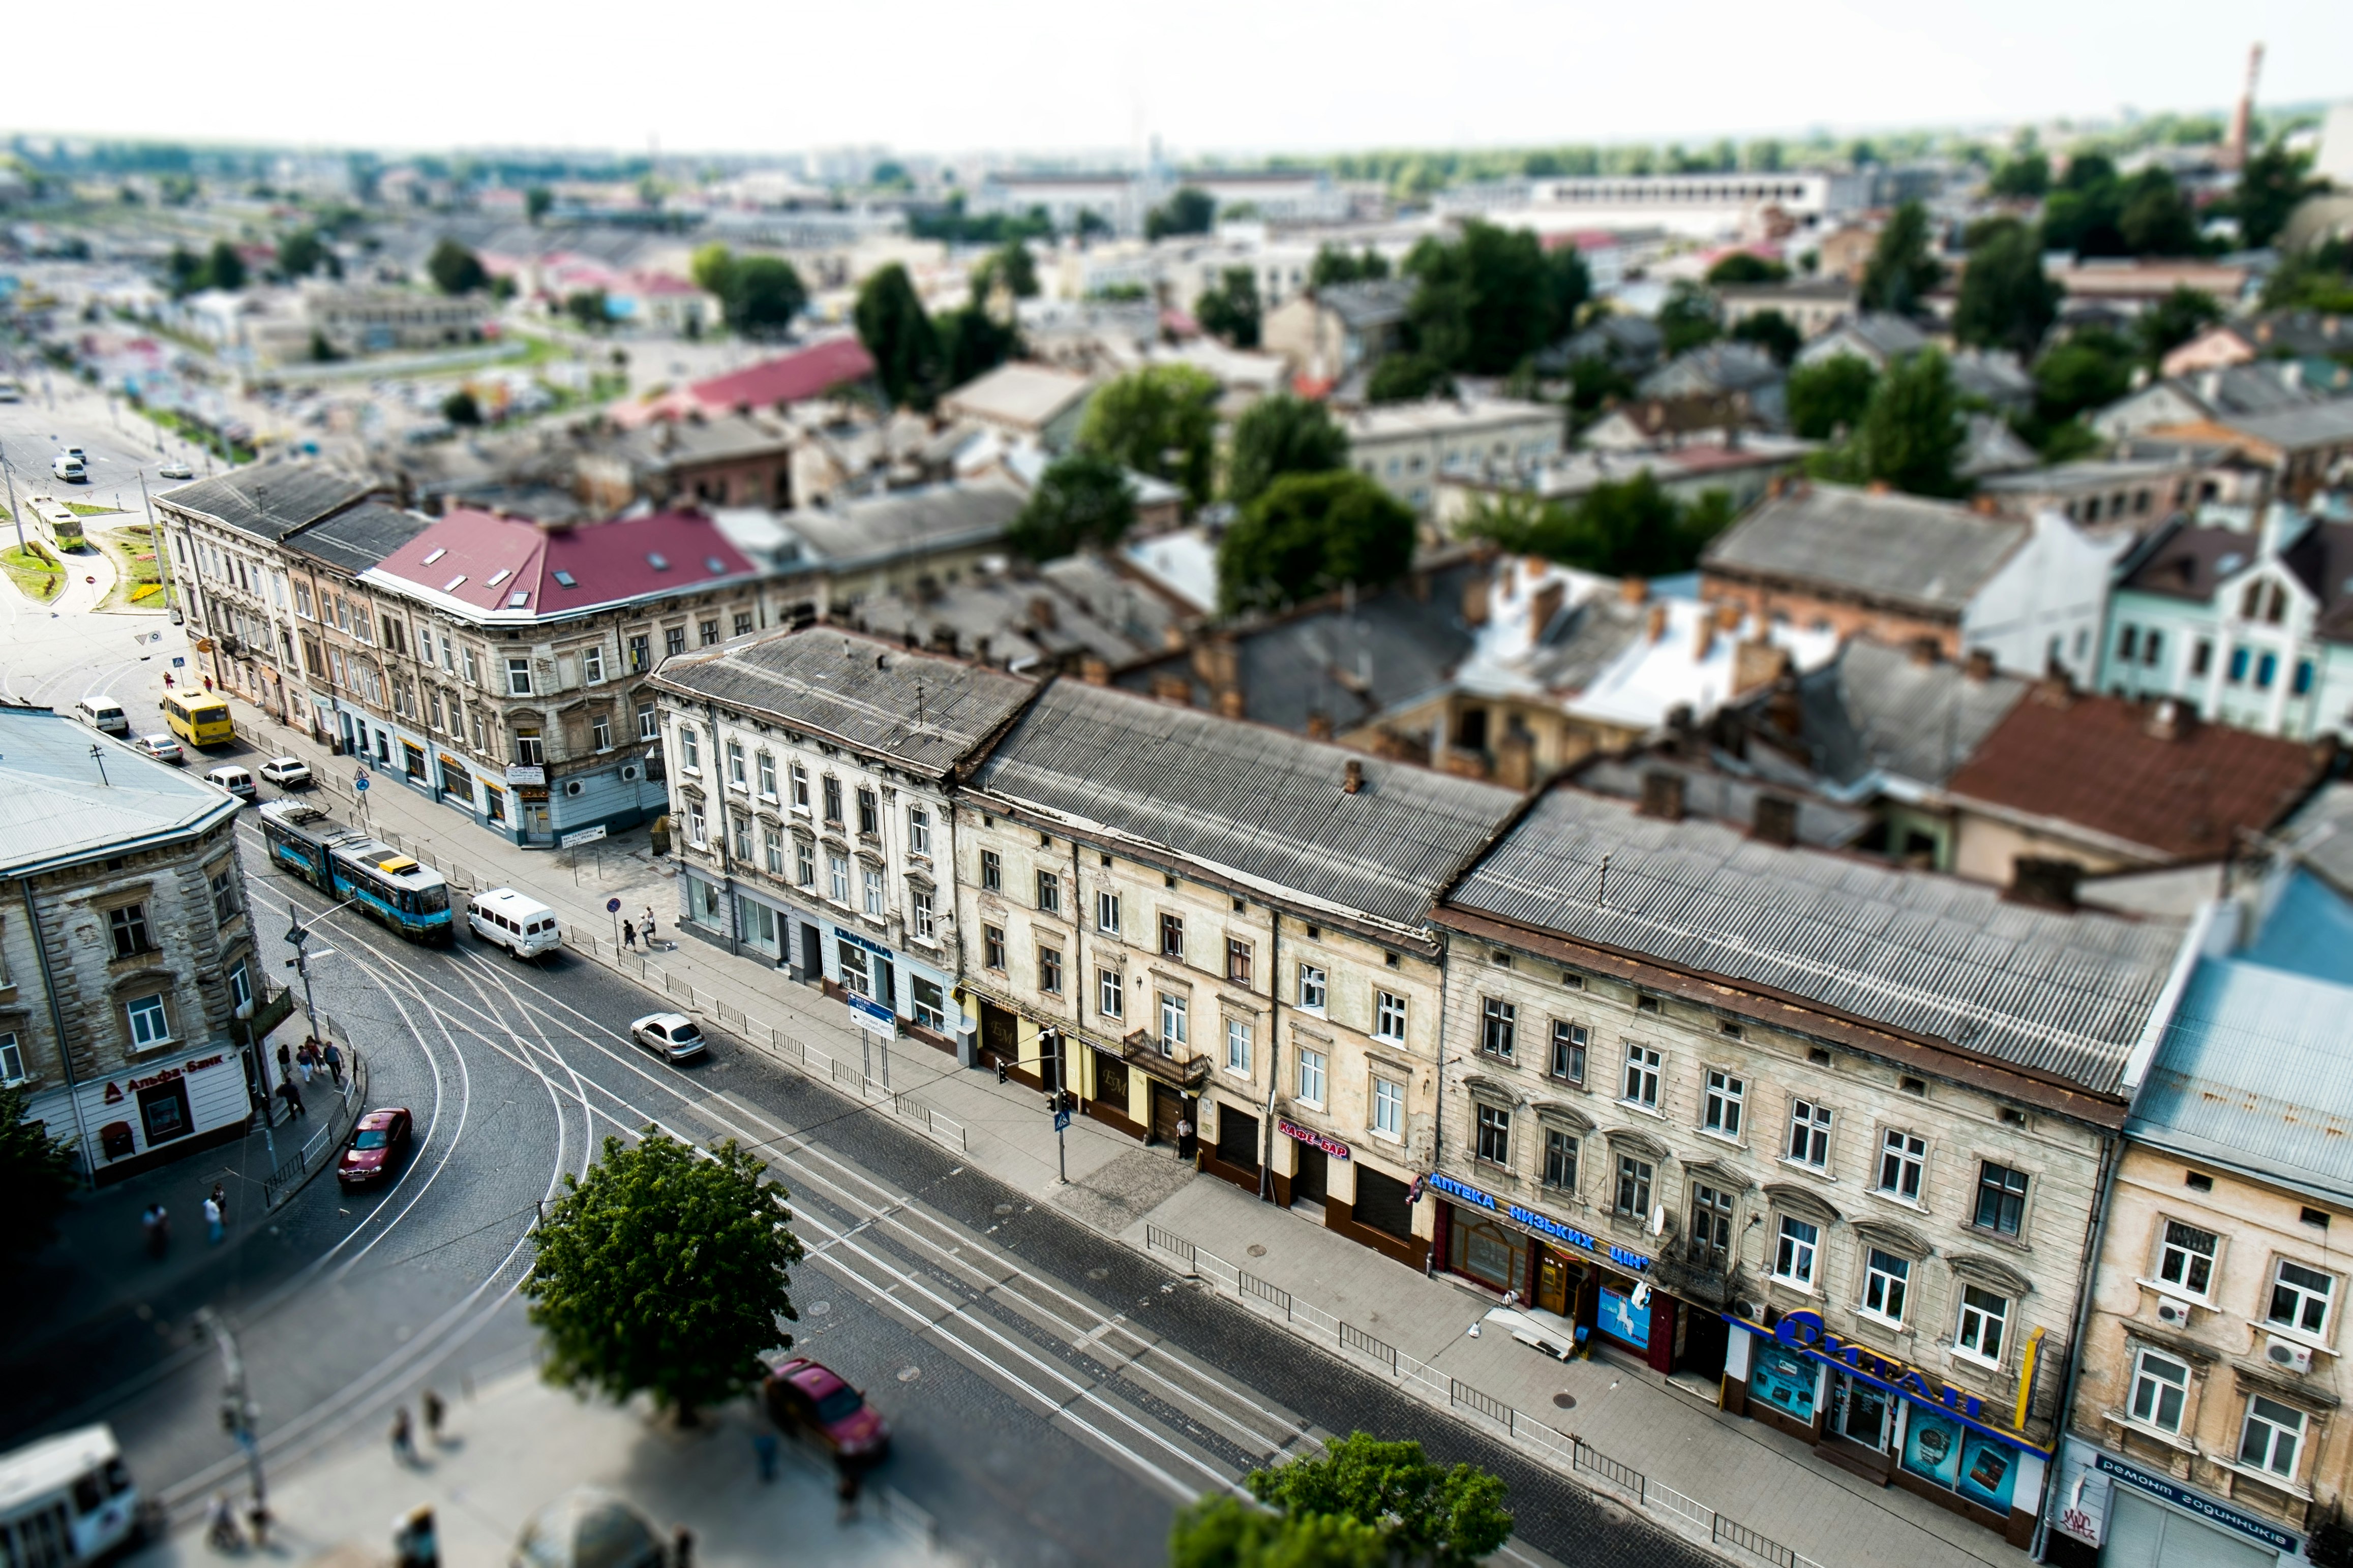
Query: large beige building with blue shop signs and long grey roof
1818	1137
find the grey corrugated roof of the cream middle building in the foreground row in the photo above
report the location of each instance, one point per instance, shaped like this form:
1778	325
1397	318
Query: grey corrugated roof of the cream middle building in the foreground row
1246	798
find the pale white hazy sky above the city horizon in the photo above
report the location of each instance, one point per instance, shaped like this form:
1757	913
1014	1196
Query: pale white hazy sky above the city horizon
1213	76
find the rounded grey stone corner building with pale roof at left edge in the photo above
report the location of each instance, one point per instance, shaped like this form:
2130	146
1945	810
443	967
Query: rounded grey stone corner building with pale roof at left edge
128	972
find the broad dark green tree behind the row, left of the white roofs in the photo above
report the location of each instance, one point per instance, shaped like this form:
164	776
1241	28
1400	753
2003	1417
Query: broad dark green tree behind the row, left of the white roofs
1312	532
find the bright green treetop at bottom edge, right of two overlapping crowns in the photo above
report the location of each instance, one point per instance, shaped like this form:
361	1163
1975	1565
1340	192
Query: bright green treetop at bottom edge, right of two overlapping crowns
1439	1515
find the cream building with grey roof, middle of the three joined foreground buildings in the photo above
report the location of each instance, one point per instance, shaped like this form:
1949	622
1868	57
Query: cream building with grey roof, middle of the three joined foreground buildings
1182	918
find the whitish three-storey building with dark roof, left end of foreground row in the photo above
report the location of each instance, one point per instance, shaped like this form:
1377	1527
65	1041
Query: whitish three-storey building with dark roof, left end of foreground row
813	822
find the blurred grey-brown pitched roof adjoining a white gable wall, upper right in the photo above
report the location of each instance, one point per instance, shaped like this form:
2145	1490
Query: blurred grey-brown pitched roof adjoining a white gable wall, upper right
1895	549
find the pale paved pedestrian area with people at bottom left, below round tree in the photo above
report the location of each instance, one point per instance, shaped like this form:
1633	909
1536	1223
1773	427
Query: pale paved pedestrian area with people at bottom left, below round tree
516	1445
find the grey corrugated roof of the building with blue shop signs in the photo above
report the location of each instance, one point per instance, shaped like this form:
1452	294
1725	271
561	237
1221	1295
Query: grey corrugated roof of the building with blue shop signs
1931	956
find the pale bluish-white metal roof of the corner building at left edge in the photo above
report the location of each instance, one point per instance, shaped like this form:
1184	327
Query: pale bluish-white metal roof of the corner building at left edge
55	805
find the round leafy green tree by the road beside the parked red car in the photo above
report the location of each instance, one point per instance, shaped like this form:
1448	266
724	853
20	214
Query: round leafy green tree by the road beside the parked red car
665	1273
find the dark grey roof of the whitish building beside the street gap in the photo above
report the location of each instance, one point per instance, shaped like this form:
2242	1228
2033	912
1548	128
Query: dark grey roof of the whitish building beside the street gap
855	690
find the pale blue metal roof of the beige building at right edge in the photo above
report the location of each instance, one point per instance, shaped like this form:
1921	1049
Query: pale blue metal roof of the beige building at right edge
2253	1071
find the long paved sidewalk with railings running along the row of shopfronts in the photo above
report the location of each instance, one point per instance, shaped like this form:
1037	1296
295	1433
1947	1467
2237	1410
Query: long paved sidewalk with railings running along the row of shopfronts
1620	1412
